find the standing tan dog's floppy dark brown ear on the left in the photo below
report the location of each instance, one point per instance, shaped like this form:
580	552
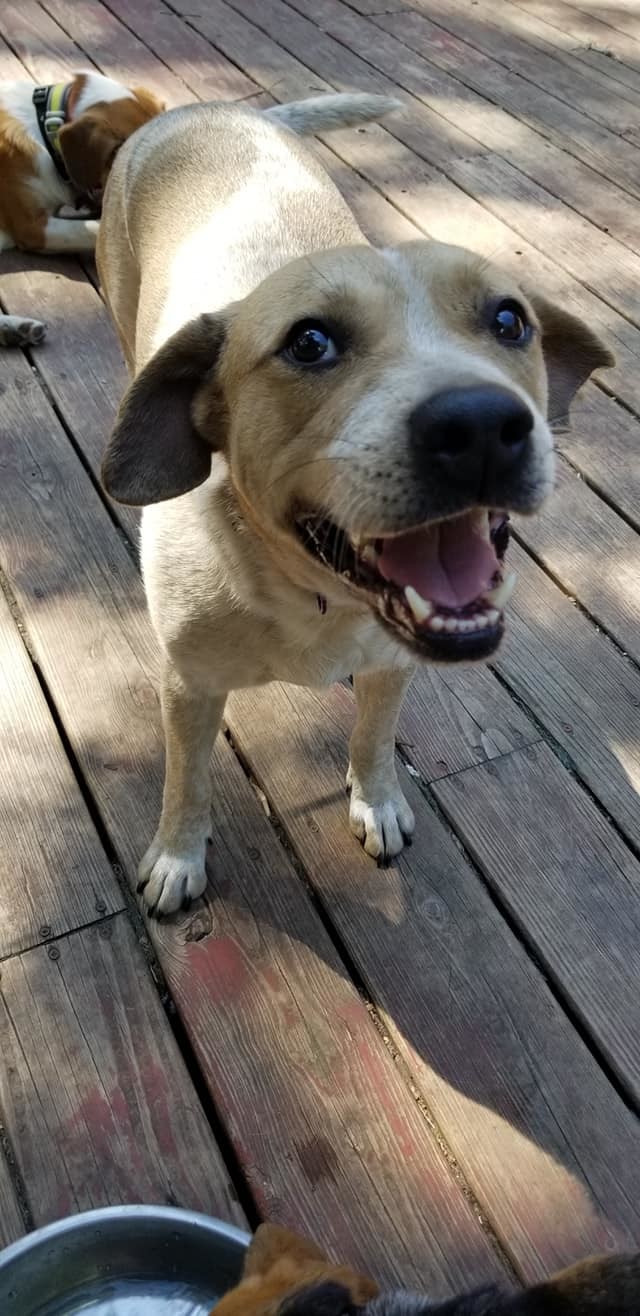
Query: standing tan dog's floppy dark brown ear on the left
160	447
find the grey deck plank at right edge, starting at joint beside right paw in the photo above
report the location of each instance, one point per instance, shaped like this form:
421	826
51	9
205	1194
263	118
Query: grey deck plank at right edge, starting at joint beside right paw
570	882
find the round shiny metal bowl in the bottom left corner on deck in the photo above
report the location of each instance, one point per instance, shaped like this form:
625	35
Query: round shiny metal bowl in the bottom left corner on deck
123	1261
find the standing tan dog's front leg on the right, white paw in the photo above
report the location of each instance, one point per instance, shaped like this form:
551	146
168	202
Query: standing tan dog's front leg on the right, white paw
379	815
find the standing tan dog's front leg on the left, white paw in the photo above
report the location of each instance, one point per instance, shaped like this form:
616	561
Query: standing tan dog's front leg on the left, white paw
173	873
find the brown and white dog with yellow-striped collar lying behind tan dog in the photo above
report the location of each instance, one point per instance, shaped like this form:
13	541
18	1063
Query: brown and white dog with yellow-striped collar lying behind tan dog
57	145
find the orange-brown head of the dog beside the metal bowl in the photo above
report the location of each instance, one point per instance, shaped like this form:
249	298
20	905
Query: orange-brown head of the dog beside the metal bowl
279	1267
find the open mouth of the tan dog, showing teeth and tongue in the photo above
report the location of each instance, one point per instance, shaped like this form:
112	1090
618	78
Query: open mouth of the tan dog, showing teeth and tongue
442	588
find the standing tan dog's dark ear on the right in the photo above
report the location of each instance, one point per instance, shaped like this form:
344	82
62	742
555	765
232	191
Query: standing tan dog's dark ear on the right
572	352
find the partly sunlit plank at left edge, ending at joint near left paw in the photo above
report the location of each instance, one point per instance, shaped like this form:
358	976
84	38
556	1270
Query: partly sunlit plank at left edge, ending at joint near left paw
55	874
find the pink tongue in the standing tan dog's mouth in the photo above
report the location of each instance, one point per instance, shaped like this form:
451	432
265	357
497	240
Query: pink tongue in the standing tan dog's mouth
451	564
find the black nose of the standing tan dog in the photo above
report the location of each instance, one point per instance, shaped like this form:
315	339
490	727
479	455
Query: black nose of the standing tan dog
471	436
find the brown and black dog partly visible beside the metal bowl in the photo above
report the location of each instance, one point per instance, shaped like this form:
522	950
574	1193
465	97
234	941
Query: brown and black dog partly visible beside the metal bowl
286	1276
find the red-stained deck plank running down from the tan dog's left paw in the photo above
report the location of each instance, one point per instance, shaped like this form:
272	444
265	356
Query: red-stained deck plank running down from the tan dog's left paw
339	1147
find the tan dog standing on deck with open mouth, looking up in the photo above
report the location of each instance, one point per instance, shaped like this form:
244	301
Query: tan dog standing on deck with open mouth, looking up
334	436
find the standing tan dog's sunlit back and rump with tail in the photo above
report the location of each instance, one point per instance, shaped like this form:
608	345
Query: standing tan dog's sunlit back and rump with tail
209	201
